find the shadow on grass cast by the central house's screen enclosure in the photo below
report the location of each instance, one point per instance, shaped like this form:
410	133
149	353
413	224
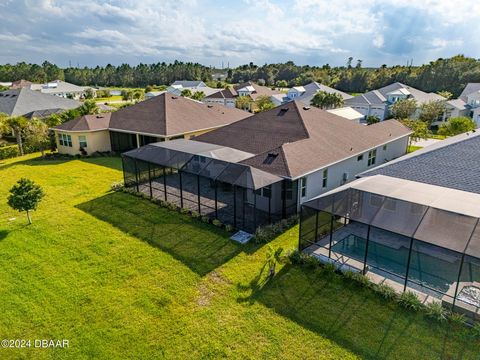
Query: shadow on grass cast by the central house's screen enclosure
201	247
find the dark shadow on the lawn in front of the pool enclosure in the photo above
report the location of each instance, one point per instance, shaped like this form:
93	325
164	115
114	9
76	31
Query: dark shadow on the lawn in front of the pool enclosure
357	318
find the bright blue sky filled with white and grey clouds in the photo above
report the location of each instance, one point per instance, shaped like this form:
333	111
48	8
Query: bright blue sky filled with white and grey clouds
315	32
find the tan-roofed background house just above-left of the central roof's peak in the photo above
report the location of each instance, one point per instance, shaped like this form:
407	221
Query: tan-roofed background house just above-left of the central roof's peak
228	96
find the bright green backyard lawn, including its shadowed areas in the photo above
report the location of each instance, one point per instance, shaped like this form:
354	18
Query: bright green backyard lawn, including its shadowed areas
121	278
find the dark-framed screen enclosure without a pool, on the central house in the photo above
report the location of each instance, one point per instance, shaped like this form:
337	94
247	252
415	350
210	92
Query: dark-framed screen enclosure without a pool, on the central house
235	194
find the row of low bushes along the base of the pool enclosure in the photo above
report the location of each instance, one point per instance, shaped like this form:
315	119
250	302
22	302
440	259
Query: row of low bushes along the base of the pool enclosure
408	300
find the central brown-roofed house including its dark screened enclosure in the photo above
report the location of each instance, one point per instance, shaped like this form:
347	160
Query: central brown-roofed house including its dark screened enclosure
260	169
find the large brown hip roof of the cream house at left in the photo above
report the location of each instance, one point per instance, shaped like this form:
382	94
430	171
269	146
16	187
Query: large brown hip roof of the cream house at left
168	115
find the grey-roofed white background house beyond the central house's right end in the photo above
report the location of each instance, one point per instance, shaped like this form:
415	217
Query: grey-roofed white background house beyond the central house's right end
378	102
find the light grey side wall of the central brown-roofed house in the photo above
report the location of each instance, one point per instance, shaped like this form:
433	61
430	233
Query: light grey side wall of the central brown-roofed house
351	166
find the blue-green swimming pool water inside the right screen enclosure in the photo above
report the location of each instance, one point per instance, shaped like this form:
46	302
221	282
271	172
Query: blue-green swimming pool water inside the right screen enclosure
426	270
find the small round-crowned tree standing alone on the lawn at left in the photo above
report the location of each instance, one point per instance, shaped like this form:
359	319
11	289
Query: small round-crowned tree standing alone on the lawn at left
25	195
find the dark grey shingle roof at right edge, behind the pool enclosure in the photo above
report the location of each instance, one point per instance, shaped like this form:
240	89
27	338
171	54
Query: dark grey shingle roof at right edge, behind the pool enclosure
451	163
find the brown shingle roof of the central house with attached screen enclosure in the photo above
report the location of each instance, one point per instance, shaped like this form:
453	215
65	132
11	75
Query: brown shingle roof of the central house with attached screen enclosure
297	140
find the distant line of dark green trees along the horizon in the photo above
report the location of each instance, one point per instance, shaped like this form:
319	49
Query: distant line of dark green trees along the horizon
443	74
